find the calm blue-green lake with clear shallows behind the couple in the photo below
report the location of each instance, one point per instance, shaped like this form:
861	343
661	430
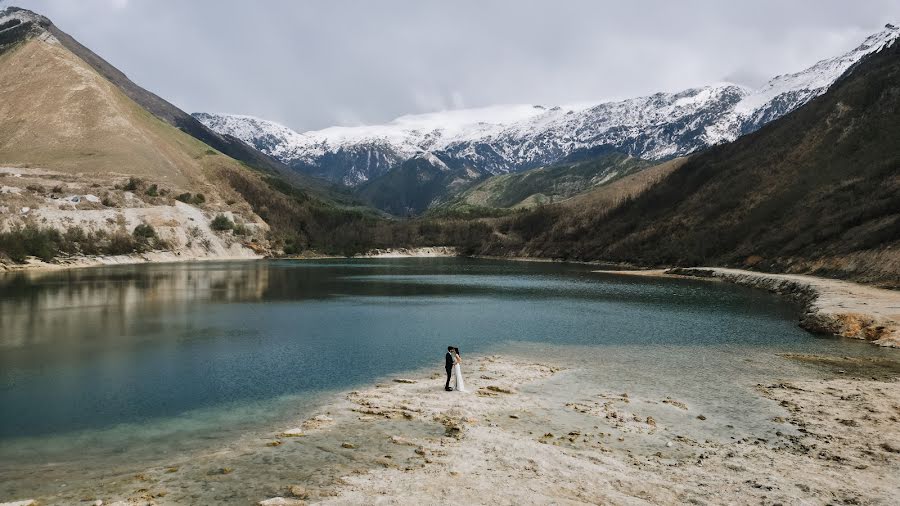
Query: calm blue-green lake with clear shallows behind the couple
133	362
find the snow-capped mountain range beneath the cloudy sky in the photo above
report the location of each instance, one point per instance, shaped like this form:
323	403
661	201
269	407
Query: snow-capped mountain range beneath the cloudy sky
501	139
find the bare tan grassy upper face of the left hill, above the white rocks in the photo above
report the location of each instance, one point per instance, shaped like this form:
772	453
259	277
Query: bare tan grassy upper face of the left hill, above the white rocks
59	113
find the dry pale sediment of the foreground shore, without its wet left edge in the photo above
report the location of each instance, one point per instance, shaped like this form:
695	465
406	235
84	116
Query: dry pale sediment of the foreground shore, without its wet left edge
841	443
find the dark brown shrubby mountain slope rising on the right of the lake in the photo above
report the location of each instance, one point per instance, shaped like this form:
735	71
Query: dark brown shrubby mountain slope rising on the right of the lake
816	191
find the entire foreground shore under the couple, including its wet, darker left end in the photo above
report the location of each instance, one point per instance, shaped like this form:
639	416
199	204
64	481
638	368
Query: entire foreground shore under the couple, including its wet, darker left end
532	432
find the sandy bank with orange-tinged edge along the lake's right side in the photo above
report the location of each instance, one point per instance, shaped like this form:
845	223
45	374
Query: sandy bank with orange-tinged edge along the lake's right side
831	306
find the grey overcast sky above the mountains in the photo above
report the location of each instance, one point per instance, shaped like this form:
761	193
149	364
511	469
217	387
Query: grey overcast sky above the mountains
311	64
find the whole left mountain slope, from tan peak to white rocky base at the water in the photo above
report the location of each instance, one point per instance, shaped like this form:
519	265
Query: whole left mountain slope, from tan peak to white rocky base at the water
88	170
